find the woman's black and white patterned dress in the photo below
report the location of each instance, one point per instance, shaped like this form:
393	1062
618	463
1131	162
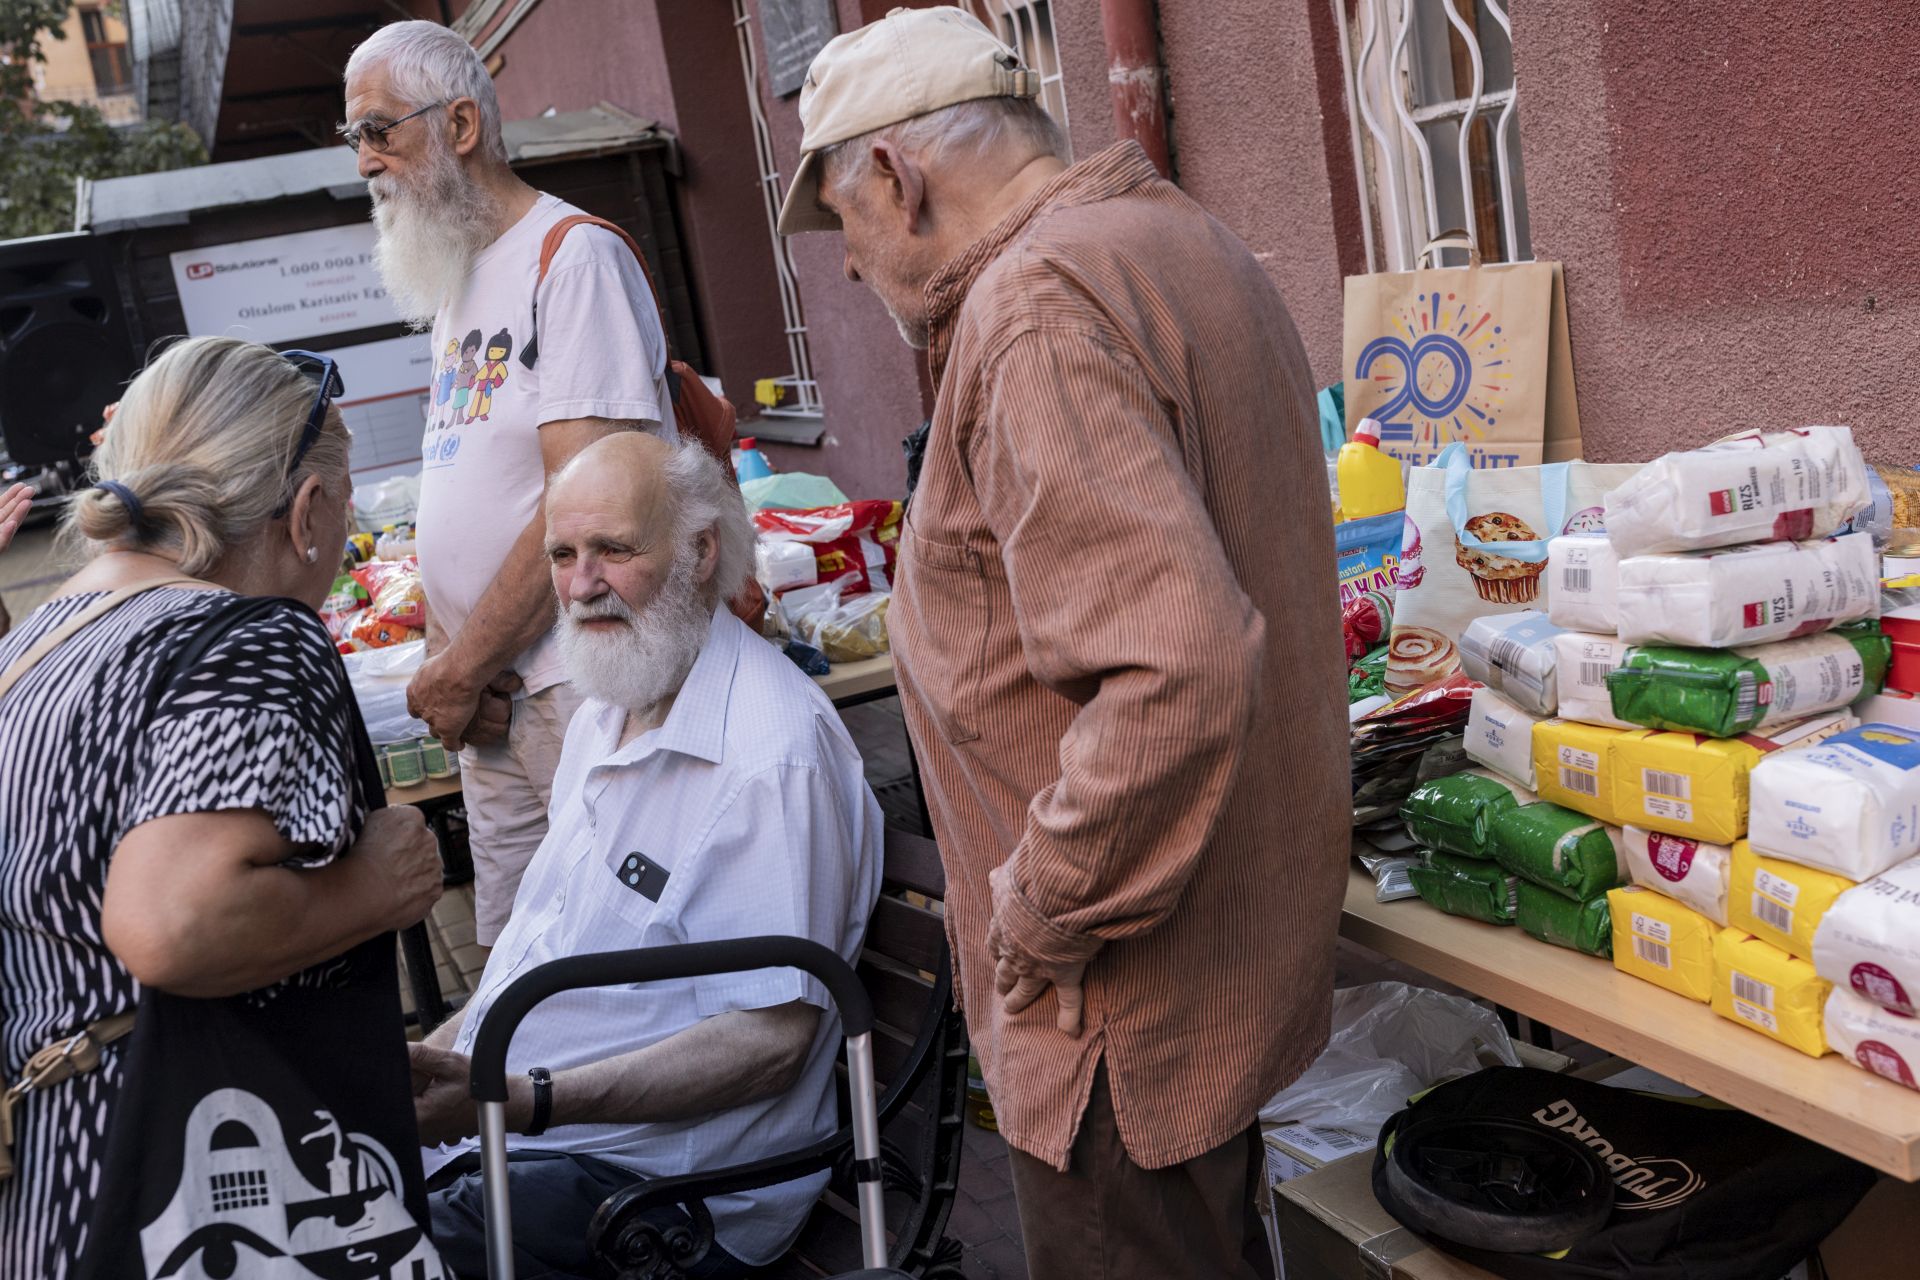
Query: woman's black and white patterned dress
260	724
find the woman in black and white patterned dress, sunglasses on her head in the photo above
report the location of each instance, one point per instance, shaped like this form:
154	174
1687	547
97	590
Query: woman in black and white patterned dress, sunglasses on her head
199	1008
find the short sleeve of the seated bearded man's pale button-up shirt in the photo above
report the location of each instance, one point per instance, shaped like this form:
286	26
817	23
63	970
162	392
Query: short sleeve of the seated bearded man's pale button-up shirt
780	861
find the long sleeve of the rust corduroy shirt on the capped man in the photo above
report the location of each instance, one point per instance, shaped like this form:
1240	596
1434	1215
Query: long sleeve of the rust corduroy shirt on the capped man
1128	607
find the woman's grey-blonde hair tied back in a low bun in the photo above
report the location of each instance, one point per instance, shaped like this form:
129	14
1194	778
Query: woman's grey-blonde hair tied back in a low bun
204	440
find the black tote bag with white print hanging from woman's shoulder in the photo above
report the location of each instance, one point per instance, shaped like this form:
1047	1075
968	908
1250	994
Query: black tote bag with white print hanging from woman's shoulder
270	1133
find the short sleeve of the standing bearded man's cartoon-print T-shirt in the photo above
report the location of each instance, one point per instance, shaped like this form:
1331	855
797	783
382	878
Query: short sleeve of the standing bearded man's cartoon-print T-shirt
602	350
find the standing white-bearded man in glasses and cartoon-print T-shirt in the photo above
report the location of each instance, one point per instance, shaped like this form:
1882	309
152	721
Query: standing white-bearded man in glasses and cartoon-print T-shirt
460	254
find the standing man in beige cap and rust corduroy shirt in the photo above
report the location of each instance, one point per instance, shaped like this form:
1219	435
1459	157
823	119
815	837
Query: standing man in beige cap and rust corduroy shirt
1118	640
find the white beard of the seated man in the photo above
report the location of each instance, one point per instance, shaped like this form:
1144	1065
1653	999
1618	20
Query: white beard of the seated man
644	663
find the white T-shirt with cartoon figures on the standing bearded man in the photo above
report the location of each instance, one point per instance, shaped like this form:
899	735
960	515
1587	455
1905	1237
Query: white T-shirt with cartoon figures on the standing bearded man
600	356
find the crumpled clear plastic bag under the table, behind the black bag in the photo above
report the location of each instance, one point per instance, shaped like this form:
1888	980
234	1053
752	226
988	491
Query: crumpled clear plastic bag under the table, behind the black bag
1389	1043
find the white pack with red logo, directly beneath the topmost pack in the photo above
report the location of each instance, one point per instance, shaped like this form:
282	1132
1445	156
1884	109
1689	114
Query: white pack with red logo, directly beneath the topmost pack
1748	596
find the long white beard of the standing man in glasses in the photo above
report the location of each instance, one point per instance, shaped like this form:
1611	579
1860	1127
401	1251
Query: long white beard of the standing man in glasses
431	231
